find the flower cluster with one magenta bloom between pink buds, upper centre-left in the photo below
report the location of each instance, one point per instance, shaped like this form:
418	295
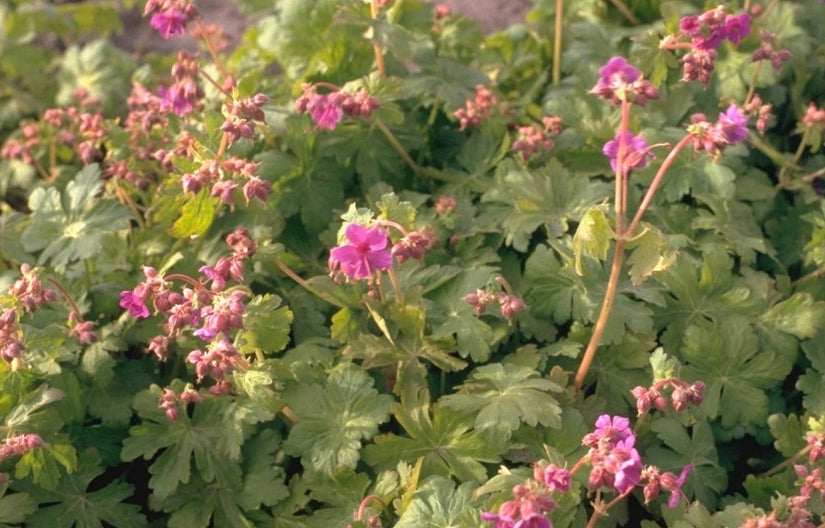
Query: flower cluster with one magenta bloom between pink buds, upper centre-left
327	110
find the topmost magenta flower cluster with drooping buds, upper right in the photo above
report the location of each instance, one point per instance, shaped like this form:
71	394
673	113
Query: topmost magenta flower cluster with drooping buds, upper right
702	35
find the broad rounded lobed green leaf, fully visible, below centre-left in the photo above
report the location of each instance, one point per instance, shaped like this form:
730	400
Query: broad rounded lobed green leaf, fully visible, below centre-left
334	419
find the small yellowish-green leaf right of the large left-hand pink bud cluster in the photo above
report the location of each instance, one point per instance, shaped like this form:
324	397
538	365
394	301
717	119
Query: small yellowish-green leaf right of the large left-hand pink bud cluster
266	326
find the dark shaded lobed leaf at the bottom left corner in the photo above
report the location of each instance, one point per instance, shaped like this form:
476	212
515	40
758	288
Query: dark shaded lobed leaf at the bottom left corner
71	504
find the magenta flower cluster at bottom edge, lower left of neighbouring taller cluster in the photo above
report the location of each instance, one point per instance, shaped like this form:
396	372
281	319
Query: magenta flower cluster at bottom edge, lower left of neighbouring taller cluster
532	501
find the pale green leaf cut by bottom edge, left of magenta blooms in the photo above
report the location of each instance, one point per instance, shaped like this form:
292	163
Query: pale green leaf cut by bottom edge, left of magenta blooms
437	503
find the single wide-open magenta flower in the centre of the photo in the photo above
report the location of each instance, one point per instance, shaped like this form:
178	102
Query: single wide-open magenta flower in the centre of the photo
366	252
